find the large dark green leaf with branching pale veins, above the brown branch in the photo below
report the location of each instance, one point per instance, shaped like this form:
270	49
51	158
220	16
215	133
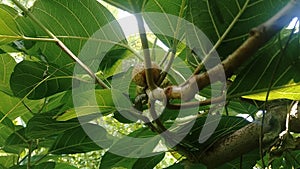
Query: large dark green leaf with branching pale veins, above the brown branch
227	23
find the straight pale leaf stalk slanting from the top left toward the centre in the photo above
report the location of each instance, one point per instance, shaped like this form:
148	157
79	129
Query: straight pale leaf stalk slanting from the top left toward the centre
61	45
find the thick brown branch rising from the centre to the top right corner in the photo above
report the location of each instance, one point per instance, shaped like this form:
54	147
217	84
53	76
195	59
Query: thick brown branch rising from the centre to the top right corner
257	38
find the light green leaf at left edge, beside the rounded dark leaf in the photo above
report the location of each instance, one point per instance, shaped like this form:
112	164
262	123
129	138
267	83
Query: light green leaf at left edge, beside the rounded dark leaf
7	64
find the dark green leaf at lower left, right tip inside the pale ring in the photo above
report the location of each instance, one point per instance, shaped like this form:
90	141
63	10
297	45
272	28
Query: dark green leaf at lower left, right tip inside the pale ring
77	141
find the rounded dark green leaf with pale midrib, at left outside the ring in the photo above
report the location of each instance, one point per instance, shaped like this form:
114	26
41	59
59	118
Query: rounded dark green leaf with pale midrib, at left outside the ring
38	80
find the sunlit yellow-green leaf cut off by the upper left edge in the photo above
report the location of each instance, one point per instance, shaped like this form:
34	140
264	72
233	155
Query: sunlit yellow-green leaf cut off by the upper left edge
8	25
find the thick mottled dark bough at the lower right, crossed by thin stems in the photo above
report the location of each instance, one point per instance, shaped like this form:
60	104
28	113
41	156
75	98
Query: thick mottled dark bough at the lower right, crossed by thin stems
246	139
